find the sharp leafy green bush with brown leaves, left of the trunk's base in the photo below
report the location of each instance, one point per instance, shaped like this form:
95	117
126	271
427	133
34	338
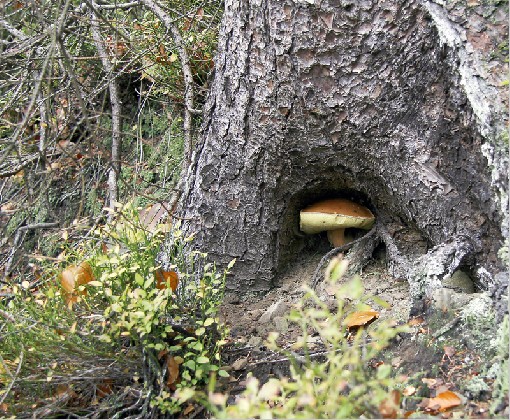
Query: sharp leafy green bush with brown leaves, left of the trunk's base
114	312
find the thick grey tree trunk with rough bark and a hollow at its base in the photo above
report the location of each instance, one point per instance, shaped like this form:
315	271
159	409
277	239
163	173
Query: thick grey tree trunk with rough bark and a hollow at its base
392	103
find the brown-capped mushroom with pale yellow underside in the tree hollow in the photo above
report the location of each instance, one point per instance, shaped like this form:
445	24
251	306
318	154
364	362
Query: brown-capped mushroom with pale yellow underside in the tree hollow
334	216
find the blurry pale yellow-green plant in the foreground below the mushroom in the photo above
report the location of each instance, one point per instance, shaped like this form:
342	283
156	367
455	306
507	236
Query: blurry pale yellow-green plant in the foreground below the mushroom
350	381
